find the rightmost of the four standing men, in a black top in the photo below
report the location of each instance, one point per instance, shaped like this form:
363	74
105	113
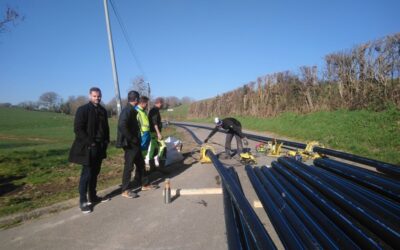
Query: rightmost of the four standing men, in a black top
155	131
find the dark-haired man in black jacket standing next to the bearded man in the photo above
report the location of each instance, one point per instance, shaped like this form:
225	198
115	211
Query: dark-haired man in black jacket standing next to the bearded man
128	138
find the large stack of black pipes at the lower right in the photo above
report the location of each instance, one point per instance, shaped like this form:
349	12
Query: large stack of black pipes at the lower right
331	205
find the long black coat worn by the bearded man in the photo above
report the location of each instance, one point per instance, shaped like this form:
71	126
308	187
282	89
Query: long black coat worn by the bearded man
85	125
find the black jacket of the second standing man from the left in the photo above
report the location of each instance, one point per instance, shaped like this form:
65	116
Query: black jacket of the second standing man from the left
128	134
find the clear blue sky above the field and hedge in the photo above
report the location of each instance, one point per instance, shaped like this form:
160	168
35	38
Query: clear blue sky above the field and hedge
185	48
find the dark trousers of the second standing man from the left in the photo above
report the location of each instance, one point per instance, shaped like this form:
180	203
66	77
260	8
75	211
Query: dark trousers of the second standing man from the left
133	156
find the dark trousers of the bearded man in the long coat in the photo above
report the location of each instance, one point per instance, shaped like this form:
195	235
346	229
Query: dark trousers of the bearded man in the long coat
88	181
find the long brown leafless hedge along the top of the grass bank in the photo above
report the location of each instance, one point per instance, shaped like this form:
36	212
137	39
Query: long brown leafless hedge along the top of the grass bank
366	76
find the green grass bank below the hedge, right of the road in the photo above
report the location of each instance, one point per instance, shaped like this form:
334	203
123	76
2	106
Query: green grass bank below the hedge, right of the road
371	134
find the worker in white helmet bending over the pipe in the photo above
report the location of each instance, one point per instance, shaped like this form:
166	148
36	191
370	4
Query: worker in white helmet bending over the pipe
232	128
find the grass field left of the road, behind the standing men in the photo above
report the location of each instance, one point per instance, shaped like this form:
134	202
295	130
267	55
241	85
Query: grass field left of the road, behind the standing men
34	170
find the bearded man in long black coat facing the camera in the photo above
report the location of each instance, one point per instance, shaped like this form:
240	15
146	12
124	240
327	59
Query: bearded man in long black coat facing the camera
92	135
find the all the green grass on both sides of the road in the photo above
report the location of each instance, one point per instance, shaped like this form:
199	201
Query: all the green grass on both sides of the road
34	171
